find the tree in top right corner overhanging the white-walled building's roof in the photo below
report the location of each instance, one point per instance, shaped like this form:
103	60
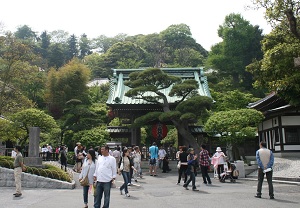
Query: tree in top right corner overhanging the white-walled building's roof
278	71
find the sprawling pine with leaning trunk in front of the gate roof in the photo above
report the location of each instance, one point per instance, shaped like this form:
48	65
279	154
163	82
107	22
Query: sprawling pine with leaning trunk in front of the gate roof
188	107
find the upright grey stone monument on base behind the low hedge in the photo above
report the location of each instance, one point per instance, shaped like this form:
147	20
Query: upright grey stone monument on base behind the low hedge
33	158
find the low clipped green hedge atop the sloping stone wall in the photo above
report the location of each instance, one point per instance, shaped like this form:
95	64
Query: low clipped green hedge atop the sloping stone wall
49	171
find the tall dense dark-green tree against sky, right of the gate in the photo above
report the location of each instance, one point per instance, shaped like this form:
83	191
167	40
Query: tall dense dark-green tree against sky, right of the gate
240	45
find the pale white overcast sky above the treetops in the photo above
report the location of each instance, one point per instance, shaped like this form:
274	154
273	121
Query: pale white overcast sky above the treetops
132	17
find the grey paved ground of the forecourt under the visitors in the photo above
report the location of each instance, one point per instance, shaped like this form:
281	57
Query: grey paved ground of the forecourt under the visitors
161	191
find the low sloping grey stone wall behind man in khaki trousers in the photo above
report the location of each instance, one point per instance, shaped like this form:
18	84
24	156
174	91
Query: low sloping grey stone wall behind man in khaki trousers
32	181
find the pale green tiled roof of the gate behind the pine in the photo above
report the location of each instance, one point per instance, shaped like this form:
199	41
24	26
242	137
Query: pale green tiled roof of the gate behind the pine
118	89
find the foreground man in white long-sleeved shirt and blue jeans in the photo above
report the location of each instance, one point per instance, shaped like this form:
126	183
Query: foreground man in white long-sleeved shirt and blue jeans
105	174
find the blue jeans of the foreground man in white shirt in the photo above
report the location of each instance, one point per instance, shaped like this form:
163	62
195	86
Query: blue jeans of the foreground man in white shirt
100	188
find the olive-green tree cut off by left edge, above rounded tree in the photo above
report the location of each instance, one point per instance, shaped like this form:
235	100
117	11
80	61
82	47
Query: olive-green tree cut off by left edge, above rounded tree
15	58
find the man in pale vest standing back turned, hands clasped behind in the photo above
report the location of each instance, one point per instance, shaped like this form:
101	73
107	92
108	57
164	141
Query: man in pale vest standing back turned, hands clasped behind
265	161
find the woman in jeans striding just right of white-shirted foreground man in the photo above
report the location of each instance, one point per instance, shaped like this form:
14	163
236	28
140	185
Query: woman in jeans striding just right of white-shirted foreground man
125	165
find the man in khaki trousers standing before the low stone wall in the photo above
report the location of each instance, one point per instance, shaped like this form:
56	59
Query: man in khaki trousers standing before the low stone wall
18	168
